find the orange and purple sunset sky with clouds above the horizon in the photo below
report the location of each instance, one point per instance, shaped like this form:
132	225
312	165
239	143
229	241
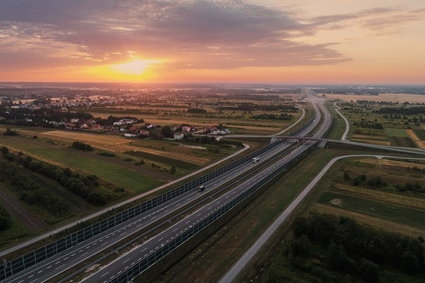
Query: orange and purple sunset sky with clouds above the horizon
234	41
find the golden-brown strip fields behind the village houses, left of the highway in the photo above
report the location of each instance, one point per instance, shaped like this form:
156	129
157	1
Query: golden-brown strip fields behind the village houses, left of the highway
238	121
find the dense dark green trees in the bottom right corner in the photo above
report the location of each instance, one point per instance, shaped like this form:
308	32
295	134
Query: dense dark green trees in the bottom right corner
355	249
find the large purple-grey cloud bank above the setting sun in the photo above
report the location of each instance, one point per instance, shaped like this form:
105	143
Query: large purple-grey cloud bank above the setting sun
192	34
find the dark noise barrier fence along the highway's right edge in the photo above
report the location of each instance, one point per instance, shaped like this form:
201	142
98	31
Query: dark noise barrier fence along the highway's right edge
197	227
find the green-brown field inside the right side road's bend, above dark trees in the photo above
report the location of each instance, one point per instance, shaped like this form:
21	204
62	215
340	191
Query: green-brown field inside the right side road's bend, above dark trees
352	186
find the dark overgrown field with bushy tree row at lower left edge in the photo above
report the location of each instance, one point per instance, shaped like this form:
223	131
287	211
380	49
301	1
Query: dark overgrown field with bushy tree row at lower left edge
36	203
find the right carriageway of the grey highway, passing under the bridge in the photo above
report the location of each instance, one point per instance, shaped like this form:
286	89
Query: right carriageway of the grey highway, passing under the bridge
148	248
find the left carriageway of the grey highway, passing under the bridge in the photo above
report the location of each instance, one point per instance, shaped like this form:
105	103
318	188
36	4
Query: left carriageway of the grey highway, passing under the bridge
69	258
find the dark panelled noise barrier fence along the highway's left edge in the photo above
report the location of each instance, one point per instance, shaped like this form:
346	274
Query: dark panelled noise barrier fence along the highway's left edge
18	264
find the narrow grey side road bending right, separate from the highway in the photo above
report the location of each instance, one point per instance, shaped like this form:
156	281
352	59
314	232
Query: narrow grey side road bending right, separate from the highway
235	270
